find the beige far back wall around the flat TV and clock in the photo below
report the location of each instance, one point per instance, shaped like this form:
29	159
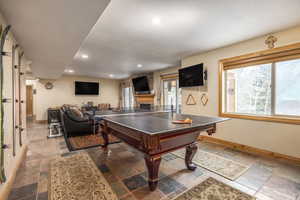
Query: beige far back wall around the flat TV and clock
63	93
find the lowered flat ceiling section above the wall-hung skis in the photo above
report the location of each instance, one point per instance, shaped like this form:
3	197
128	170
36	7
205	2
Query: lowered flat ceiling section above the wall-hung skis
51	31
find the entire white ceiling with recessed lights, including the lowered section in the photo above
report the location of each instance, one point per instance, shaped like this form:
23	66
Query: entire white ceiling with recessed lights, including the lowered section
124	35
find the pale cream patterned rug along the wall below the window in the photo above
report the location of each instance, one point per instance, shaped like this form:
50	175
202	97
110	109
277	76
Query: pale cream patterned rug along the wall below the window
220	165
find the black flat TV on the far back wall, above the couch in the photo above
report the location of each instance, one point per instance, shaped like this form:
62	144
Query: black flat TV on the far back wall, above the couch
86	88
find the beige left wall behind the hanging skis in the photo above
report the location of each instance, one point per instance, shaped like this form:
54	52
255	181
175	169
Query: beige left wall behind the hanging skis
9	159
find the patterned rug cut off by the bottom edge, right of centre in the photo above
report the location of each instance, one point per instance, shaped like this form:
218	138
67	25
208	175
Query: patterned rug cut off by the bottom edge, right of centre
211	189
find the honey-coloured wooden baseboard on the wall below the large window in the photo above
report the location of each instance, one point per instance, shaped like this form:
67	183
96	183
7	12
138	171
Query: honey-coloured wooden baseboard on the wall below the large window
251	150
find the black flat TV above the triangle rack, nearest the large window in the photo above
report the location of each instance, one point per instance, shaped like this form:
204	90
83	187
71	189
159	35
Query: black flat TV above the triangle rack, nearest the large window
191	76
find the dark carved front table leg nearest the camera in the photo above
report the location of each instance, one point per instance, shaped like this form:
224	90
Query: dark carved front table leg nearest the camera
152	163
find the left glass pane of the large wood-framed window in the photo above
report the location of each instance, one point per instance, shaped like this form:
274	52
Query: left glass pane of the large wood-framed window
248	90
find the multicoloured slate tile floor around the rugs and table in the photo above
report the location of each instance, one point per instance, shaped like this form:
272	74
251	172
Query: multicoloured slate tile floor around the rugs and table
266	179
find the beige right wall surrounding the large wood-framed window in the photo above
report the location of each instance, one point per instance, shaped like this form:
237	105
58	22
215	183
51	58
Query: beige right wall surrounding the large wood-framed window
276	137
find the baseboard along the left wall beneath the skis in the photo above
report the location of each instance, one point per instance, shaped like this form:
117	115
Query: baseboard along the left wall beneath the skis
7	187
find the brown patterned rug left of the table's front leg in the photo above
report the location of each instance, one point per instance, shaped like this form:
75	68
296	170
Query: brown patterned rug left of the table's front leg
76	177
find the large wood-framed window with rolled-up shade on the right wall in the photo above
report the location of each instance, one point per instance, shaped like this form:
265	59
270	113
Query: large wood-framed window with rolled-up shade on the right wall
262	86
